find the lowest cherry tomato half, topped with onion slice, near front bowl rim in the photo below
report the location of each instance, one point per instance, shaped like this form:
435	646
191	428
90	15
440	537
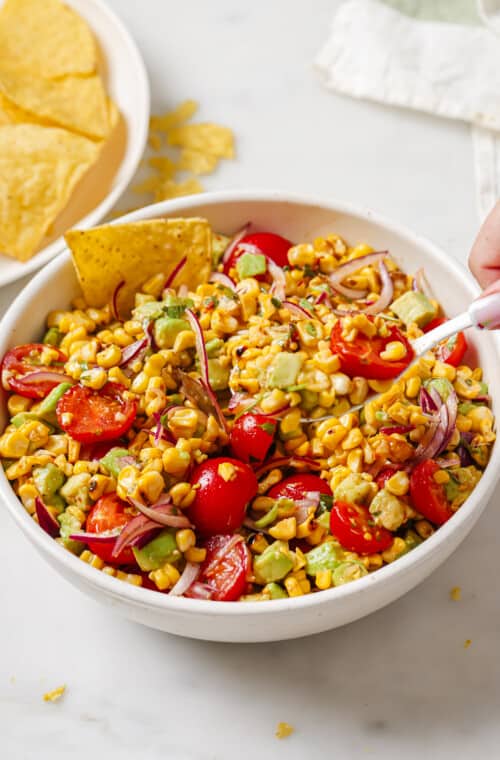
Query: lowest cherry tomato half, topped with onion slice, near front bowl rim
225	573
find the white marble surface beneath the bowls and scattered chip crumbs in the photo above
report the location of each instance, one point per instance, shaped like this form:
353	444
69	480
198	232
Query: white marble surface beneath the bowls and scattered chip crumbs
397	684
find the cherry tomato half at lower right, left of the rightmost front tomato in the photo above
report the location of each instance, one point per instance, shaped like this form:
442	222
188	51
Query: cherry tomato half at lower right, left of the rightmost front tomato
353	526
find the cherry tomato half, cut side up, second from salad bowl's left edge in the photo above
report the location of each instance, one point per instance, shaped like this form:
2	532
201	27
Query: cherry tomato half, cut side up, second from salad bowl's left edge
95	415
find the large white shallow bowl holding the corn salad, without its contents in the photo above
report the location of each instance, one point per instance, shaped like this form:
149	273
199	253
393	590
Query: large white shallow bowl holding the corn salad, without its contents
298	218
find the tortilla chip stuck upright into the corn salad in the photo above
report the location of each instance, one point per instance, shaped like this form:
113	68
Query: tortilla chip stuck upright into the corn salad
131	253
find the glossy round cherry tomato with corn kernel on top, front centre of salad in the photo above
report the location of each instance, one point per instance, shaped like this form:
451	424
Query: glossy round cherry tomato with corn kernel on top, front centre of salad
225	488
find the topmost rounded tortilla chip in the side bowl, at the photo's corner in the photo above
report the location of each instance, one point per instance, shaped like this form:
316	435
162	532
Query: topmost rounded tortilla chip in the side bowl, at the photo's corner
46	38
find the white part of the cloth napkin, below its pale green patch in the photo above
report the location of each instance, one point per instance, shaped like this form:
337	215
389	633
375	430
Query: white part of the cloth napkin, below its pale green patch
447	69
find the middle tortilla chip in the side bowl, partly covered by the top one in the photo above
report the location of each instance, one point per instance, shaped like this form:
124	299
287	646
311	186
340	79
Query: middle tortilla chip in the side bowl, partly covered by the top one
77	103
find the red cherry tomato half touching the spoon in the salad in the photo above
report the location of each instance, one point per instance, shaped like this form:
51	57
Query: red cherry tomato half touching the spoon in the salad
361	357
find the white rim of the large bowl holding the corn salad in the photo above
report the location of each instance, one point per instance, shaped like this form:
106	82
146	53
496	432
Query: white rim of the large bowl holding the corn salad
147	598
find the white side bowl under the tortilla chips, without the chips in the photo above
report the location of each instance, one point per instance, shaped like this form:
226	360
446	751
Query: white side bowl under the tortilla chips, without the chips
127	83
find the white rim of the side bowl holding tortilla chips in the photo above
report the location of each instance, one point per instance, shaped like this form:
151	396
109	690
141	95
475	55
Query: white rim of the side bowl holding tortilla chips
132	155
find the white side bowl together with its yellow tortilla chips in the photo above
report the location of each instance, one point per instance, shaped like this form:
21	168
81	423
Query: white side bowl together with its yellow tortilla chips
74	114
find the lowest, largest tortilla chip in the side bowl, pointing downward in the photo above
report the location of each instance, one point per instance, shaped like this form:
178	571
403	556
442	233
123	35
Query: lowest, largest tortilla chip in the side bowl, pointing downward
39	166
